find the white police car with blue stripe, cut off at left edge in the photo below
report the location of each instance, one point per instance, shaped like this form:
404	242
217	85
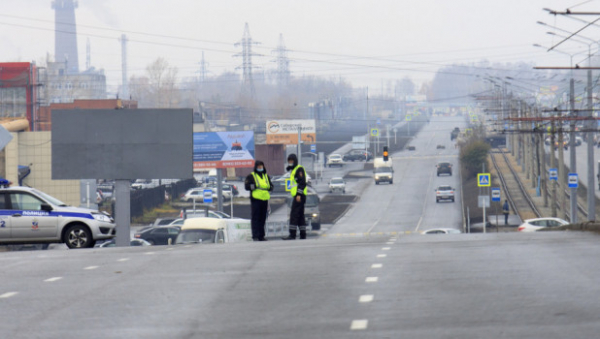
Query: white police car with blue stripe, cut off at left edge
29	216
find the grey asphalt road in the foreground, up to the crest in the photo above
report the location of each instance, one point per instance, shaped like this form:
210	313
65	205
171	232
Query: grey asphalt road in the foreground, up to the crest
539	285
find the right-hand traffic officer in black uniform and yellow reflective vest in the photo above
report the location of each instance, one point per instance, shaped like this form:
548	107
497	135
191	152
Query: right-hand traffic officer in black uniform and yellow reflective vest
298	191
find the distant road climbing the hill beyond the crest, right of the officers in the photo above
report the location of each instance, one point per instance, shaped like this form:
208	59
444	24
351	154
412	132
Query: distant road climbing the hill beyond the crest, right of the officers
409	204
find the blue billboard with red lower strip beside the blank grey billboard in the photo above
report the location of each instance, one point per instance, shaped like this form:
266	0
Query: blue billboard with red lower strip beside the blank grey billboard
223	150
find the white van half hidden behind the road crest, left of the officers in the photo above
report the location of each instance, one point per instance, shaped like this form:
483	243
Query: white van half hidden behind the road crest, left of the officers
211	230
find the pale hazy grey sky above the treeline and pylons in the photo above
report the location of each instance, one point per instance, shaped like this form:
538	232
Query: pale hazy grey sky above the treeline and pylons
366	42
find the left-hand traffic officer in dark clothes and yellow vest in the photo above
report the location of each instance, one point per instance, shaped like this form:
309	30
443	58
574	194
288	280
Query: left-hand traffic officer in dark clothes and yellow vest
259	184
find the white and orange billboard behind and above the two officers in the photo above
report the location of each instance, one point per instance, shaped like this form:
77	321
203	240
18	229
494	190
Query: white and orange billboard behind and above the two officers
286	131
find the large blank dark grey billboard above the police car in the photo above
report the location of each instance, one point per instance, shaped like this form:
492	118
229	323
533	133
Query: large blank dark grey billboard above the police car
122	144
